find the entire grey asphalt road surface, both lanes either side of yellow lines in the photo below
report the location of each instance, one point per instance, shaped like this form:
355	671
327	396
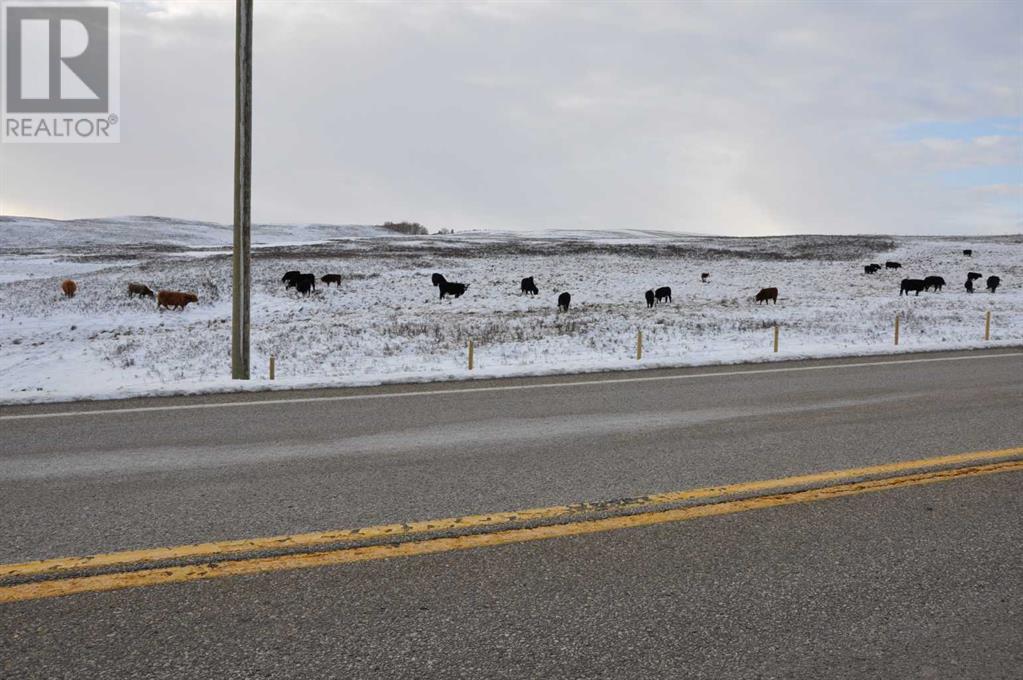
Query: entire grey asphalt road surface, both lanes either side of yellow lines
919	582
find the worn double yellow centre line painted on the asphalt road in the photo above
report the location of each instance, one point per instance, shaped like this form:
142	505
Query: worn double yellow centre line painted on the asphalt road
130	569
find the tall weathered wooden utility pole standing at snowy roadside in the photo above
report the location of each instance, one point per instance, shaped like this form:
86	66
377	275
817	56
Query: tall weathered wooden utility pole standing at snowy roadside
241	277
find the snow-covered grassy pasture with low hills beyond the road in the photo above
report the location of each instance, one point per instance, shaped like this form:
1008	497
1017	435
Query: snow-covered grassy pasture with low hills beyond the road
386	324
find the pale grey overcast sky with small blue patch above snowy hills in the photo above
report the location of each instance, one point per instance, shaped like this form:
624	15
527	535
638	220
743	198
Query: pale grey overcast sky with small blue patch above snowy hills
725	118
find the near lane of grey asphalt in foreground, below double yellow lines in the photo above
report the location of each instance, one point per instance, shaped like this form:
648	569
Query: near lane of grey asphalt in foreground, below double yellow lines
917	583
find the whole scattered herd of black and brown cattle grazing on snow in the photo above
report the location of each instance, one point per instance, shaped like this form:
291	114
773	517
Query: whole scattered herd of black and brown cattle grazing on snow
305	284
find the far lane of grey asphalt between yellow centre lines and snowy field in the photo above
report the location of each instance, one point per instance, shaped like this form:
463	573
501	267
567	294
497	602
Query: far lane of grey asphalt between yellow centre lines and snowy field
78	485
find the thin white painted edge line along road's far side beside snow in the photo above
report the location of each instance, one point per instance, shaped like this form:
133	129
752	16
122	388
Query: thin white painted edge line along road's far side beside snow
505	388
